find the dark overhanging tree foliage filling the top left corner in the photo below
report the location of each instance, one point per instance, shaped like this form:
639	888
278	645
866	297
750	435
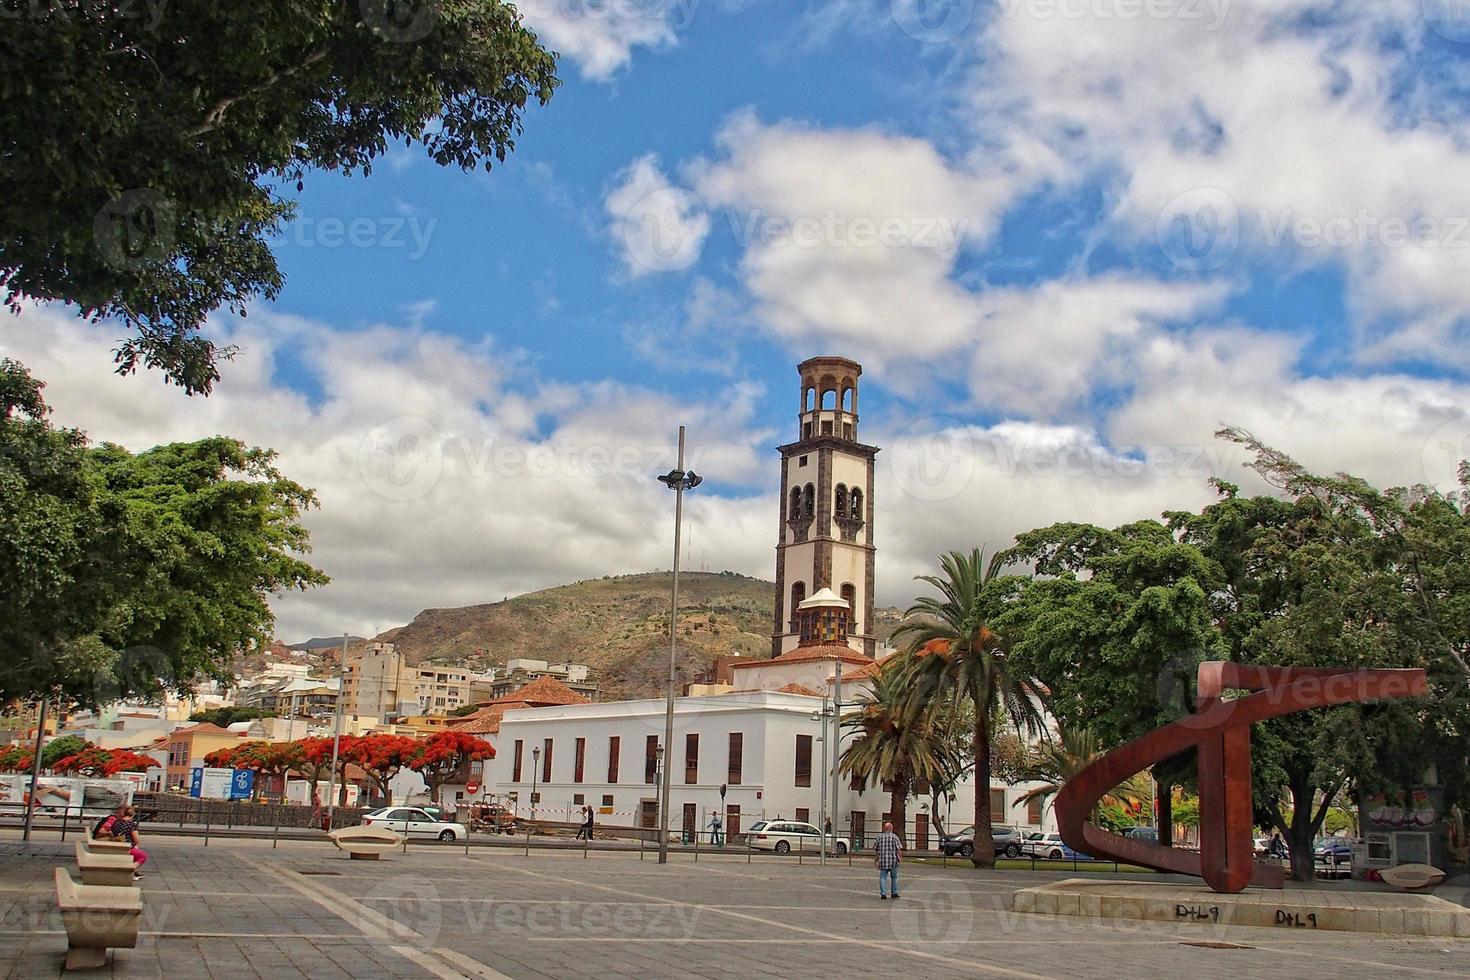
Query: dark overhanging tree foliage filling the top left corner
148	146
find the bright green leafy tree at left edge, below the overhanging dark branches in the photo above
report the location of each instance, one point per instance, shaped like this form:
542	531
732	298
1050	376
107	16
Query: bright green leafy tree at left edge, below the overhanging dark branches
123	572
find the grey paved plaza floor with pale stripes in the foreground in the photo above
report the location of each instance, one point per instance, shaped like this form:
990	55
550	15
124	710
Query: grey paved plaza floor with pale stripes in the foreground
242	909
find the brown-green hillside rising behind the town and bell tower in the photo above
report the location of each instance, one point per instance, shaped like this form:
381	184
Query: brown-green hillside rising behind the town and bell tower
618	625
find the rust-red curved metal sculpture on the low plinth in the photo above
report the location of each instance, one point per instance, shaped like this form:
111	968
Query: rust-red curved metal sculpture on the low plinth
1222	732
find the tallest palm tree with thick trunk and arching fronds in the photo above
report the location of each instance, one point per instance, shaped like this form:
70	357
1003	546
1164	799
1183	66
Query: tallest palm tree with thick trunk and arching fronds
956	657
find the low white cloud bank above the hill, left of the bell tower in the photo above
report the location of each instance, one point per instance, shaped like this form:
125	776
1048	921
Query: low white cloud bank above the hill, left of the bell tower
448	474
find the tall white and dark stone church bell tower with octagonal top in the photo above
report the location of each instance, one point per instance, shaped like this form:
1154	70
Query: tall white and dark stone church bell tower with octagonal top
827	508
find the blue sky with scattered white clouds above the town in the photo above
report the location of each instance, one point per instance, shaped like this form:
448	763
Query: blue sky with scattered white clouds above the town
1066	239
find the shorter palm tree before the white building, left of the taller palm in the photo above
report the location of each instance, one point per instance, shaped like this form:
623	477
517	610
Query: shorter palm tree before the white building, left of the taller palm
897	746
